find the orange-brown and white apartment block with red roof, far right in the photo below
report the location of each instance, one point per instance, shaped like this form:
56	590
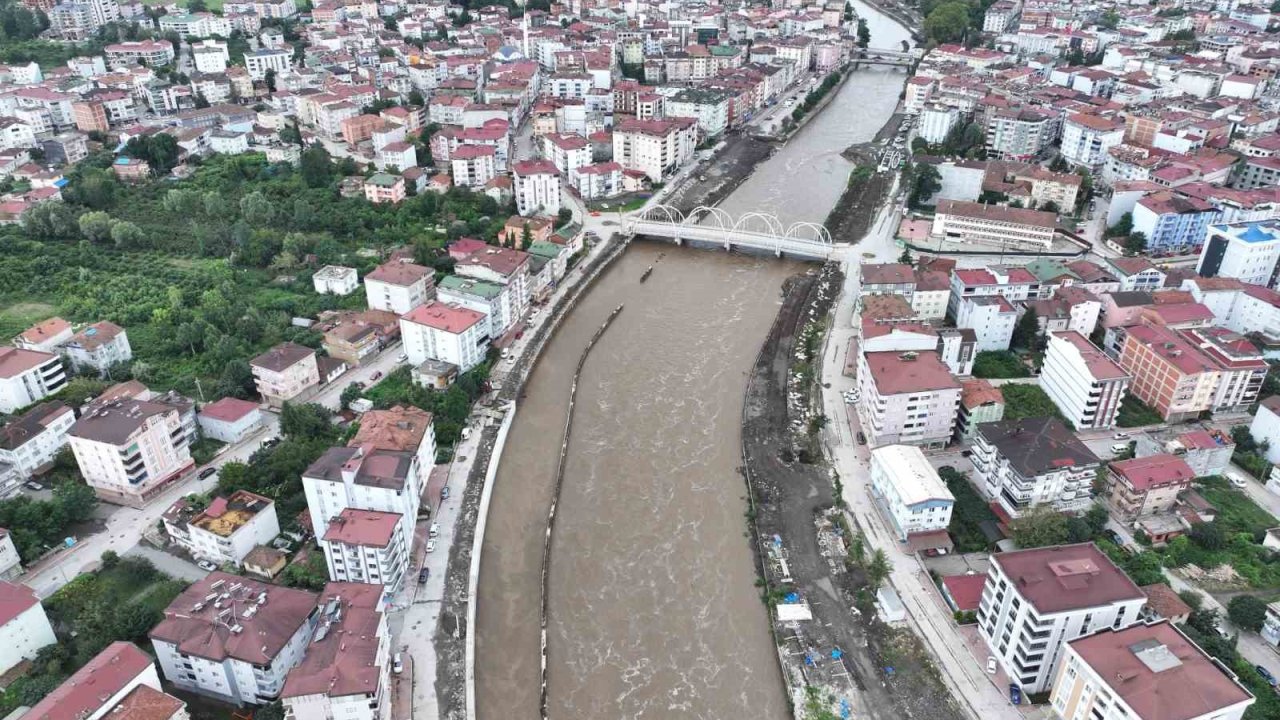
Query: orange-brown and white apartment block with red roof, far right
1171	375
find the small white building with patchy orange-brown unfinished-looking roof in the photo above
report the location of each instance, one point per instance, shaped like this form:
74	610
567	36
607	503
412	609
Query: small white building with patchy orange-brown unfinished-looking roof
231	527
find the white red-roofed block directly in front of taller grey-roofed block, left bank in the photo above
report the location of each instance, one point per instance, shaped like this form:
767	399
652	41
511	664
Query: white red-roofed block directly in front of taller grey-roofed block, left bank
367	546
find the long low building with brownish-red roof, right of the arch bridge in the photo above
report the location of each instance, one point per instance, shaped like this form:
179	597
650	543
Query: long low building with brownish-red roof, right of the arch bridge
993	226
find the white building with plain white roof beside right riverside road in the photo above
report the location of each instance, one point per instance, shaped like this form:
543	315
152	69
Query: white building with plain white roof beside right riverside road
909	490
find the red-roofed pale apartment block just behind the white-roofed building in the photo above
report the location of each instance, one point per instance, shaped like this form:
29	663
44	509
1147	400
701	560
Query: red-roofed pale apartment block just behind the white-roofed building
908	398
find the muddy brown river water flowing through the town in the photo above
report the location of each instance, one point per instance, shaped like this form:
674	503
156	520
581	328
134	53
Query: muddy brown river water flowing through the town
653	607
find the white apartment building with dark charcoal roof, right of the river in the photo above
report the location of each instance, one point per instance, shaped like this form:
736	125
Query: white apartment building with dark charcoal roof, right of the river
1022	464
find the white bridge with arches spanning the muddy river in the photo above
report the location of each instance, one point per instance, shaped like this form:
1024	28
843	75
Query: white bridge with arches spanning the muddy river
752	231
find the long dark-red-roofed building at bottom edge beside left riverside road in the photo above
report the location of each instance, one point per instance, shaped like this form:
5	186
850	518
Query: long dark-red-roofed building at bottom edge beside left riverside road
346	671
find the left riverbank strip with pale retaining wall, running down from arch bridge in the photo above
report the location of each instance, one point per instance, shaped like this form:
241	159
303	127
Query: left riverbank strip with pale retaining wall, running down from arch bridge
455	640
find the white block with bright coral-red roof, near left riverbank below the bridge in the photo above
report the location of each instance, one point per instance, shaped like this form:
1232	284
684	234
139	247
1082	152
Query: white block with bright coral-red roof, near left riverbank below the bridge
451	334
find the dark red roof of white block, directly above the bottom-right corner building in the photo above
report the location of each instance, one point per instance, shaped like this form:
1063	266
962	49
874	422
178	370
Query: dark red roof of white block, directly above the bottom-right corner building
1069	577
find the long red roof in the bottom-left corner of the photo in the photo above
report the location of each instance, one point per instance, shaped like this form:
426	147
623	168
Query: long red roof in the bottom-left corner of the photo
94	685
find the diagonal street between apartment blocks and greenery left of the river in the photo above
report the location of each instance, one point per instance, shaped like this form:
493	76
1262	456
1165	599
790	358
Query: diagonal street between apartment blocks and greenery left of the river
126	526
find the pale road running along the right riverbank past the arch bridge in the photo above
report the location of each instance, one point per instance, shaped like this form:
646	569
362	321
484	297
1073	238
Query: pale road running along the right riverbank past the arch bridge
930	618
